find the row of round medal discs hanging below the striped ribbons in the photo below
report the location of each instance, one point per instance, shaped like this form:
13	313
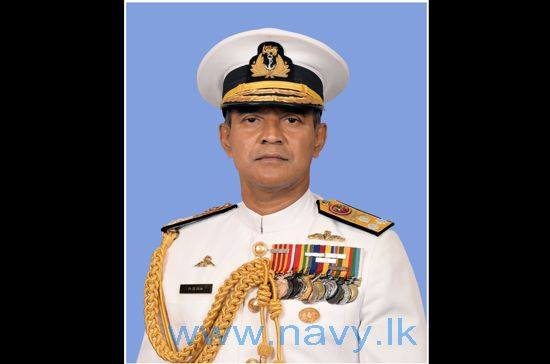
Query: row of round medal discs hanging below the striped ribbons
316	288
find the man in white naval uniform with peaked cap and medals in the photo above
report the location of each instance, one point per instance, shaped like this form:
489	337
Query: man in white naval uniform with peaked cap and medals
285	275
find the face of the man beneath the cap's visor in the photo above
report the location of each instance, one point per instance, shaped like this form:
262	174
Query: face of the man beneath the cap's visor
272	147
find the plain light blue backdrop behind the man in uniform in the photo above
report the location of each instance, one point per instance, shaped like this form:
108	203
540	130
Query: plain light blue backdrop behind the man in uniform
375	157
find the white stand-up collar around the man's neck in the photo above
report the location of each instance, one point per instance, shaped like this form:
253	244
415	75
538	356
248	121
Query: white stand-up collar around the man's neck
285	218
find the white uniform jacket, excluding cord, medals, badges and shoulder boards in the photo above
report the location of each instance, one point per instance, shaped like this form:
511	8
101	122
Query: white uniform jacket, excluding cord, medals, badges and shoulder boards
388	292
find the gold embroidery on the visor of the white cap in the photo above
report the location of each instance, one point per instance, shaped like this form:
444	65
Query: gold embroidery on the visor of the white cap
273	91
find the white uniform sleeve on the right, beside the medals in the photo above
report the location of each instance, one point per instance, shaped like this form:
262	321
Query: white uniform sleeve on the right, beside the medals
392	307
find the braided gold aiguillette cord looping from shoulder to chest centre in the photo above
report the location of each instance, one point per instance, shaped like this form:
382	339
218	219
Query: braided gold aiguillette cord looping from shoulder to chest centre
228	299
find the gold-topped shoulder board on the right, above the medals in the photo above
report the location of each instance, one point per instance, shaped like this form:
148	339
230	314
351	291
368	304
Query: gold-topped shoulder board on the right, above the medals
354	217
